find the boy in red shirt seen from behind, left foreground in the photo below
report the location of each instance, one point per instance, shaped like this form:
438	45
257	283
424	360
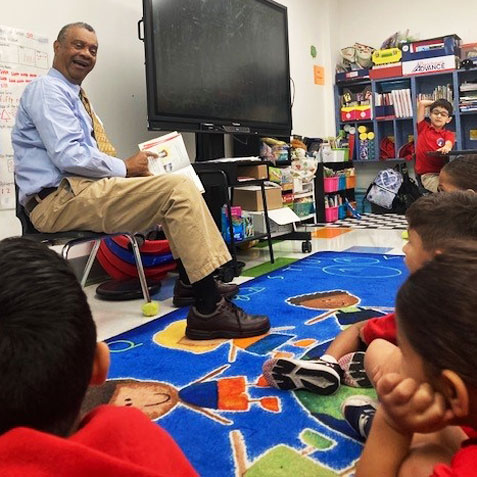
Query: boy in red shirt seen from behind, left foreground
48	357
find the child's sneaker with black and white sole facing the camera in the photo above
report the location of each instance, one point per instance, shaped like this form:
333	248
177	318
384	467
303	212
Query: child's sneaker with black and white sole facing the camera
320	376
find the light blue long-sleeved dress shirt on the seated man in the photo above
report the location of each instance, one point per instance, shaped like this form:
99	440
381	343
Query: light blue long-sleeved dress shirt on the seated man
53	138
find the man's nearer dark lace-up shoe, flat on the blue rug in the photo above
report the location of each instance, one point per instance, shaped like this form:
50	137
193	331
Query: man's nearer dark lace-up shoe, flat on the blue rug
227	321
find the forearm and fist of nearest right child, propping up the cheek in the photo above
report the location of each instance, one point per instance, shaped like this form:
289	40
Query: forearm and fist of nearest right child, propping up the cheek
406	407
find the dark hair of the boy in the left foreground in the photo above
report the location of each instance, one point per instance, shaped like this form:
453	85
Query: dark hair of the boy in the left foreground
47	339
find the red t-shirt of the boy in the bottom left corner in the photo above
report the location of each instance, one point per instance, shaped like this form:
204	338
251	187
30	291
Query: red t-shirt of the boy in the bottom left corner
111	442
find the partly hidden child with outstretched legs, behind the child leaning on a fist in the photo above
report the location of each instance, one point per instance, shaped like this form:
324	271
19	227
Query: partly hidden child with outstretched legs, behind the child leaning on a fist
432	220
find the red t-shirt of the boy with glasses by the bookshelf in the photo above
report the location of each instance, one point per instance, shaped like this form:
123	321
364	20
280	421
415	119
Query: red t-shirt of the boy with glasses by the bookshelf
430	139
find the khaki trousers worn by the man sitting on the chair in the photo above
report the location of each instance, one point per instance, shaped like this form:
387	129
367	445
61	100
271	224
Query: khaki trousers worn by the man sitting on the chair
136	204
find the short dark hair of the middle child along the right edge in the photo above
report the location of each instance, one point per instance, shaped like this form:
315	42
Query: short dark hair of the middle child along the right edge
444	216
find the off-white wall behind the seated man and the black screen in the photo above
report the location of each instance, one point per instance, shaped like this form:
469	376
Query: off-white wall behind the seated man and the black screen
117	85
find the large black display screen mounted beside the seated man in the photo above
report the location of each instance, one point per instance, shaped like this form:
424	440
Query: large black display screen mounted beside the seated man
216	63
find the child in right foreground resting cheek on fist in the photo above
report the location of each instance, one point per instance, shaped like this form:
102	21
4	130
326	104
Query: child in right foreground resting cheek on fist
436	387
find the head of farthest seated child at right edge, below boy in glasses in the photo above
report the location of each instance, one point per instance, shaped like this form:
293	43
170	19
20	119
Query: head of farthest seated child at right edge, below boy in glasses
459	174
